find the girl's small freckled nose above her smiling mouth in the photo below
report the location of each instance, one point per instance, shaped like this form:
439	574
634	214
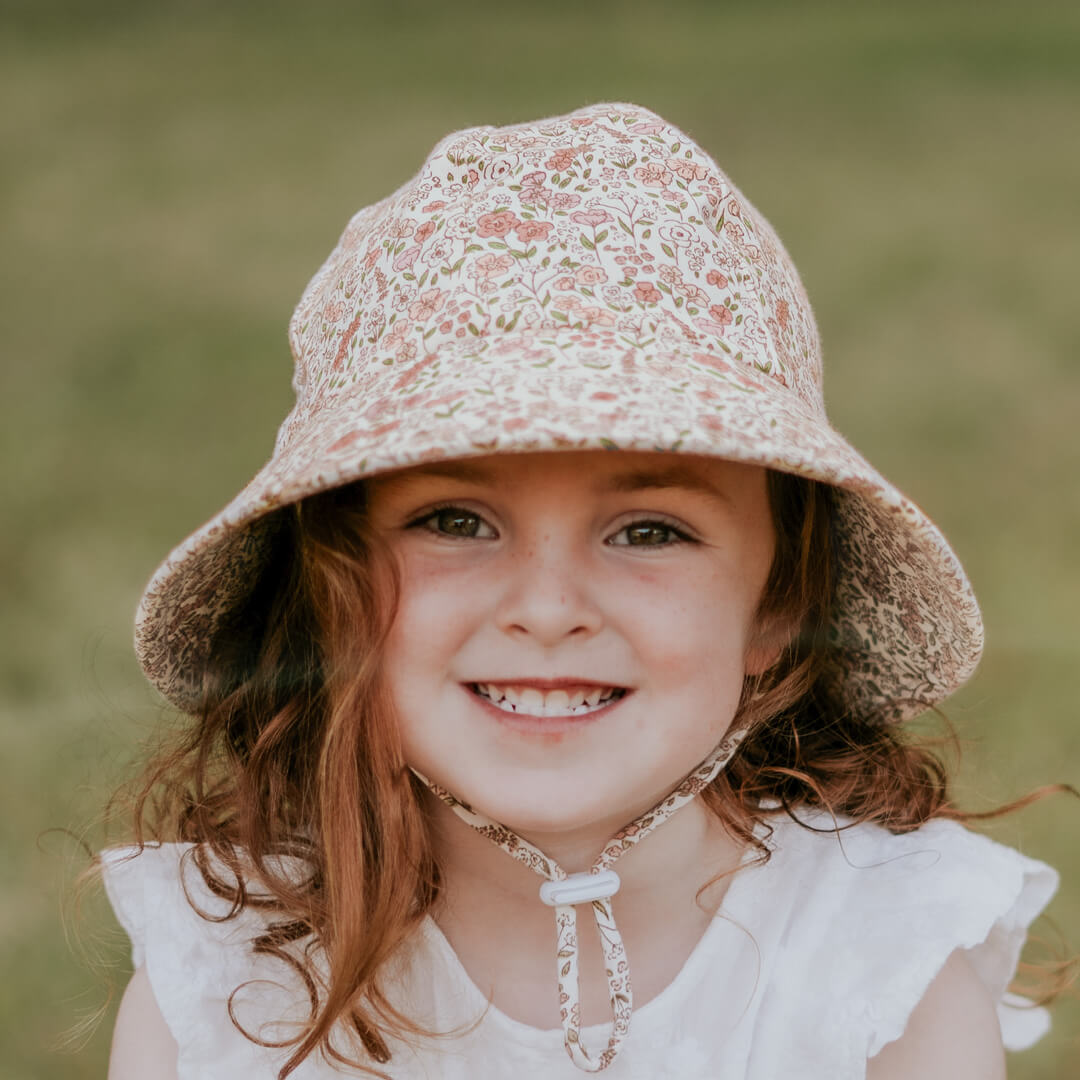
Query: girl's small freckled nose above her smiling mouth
547	595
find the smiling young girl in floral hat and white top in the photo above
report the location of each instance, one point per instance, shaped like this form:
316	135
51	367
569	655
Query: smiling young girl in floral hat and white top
546	683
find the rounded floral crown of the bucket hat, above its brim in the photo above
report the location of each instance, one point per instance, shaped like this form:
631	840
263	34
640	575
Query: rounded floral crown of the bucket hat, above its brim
606	228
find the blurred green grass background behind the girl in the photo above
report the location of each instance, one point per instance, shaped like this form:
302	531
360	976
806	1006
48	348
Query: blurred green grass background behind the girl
174	172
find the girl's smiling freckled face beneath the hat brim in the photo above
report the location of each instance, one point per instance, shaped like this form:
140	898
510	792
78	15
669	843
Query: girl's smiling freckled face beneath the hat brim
574	628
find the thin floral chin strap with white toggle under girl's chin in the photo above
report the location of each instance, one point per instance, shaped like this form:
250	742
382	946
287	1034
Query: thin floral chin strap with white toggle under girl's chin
596	887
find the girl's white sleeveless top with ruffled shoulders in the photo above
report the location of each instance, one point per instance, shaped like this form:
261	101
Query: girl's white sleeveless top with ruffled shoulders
814	963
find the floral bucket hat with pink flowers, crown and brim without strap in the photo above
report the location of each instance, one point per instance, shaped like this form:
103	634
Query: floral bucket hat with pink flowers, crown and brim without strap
588	281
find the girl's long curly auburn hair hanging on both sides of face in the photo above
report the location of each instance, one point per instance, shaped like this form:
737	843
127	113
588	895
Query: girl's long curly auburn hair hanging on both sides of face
295	752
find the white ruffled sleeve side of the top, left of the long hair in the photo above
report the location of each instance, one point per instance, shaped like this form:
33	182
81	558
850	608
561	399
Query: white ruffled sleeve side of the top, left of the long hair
196	964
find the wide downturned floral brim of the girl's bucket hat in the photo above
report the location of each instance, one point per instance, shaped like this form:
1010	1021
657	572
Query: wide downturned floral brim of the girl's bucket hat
907	630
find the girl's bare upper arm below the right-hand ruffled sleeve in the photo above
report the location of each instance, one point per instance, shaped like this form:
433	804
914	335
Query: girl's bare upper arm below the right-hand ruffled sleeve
953	1033
